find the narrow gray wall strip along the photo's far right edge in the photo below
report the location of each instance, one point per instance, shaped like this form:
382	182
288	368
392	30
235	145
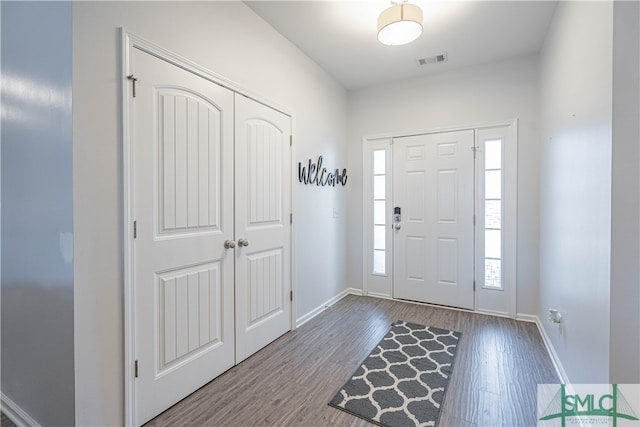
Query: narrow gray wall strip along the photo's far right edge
625	206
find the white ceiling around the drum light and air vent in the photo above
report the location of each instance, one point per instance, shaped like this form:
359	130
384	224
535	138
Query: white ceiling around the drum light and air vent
341	35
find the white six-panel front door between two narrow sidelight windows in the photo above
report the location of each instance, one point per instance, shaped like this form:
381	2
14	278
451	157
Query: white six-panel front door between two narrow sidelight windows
433	186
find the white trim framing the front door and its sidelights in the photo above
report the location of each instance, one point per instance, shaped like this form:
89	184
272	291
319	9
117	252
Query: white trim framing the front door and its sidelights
510	240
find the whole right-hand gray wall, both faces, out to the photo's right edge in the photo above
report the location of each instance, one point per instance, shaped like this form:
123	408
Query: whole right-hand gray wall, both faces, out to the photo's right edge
590	183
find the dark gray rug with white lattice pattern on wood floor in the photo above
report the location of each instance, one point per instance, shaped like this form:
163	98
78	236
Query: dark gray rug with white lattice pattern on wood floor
404	379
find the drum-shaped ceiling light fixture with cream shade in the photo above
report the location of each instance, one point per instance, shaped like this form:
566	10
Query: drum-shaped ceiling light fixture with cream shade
400	24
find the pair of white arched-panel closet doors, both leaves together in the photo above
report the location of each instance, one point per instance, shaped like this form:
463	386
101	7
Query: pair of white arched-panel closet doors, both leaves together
211	253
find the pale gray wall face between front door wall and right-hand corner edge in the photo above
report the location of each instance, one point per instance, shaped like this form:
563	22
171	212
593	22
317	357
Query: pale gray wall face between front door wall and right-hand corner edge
575	186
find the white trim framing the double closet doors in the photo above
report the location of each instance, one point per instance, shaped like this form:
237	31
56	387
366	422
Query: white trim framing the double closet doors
129	42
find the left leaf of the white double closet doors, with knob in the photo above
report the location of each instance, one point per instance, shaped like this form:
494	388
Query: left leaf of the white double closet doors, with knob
183	173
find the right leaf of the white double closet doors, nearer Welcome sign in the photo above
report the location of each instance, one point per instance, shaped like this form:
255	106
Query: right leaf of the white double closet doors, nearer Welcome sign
263	228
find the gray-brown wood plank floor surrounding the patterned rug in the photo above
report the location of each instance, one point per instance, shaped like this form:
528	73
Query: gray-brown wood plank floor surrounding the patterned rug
289	383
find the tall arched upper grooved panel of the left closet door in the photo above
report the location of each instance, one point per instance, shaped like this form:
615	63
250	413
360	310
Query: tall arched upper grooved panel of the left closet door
189	185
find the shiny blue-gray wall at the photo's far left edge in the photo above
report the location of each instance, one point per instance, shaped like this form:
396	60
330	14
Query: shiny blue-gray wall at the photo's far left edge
37	210
